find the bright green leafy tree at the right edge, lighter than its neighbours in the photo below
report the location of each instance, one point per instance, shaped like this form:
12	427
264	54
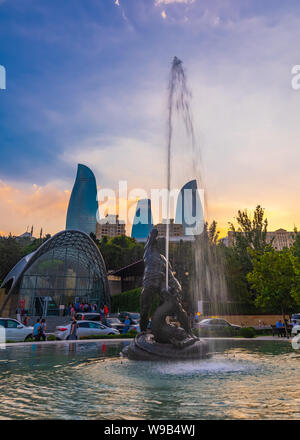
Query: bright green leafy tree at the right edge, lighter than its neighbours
273	278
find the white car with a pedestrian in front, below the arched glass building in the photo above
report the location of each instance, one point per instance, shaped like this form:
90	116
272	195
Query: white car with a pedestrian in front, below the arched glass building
85	328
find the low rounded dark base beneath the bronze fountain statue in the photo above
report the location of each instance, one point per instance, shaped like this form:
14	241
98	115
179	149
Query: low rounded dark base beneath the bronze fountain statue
145	348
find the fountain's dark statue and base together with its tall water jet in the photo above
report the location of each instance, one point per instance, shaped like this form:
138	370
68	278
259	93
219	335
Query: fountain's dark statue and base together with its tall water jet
171	336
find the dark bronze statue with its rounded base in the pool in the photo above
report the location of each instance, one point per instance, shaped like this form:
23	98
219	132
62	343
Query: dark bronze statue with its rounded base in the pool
171	336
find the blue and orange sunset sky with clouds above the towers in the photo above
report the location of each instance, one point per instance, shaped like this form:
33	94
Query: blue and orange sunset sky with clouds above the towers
87	83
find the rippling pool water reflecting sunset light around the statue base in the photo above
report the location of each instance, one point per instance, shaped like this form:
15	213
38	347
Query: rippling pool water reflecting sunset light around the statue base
244	379
